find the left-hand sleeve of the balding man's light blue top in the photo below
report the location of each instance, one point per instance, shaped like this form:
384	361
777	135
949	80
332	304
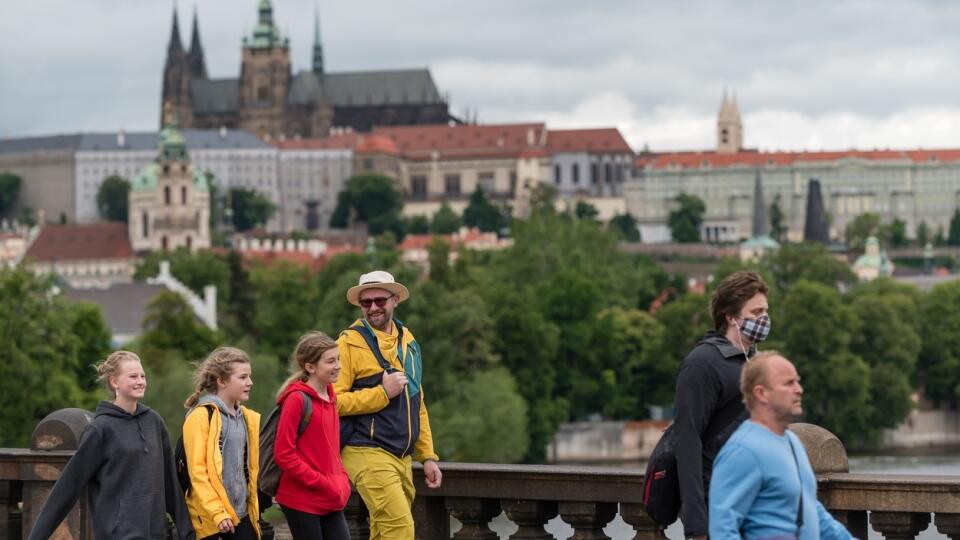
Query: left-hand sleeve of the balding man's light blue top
734	486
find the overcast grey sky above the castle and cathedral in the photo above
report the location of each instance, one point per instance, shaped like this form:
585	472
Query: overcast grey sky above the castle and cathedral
808	75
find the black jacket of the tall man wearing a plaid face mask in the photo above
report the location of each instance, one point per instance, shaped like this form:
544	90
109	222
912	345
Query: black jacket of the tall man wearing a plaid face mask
708	406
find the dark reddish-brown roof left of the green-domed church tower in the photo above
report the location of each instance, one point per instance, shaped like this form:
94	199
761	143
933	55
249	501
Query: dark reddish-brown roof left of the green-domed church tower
96	241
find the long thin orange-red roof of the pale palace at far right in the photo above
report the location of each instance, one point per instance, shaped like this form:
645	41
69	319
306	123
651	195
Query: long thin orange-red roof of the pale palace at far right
753	158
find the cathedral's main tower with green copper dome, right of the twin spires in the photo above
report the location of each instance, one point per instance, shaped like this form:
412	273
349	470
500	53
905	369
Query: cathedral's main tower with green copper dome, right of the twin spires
264	76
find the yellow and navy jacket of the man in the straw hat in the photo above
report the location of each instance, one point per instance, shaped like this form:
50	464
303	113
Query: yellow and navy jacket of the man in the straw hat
368	418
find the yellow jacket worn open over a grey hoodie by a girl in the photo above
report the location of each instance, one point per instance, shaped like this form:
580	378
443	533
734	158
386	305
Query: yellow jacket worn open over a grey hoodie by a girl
207	498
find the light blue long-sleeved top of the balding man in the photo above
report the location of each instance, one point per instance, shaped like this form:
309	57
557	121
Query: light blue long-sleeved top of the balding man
755	490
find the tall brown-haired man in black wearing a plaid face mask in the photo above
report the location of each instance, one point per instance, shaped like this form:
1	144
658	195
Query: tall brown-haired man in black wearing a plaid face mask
708	404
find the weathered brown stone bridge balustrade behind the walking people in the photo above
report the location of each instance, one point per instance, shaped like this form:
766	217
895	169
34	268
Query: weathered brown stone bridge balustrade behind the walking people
588	499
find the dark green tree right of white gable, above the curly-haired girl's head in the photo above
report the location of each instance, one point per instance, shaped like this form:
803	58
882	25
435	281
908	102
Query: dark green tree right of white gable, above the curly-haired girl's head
173	333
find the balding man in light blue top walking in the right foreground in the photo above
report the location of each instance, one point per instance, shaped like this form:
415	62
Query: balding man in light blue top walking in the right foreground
762	472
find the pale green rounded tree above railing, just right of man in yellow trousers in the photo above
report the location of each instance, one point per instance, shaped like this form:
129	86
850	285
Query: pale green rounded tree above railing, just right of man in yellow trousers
484	420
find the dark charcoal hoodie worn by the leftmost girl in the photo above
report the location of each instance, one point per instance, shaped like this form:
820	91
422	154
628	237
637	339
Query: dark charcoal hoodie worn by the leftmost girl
126	463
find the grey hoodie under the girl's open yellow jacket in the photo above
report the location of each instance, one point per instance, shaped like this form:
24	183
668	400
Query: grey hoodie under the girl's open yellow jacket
233	447
